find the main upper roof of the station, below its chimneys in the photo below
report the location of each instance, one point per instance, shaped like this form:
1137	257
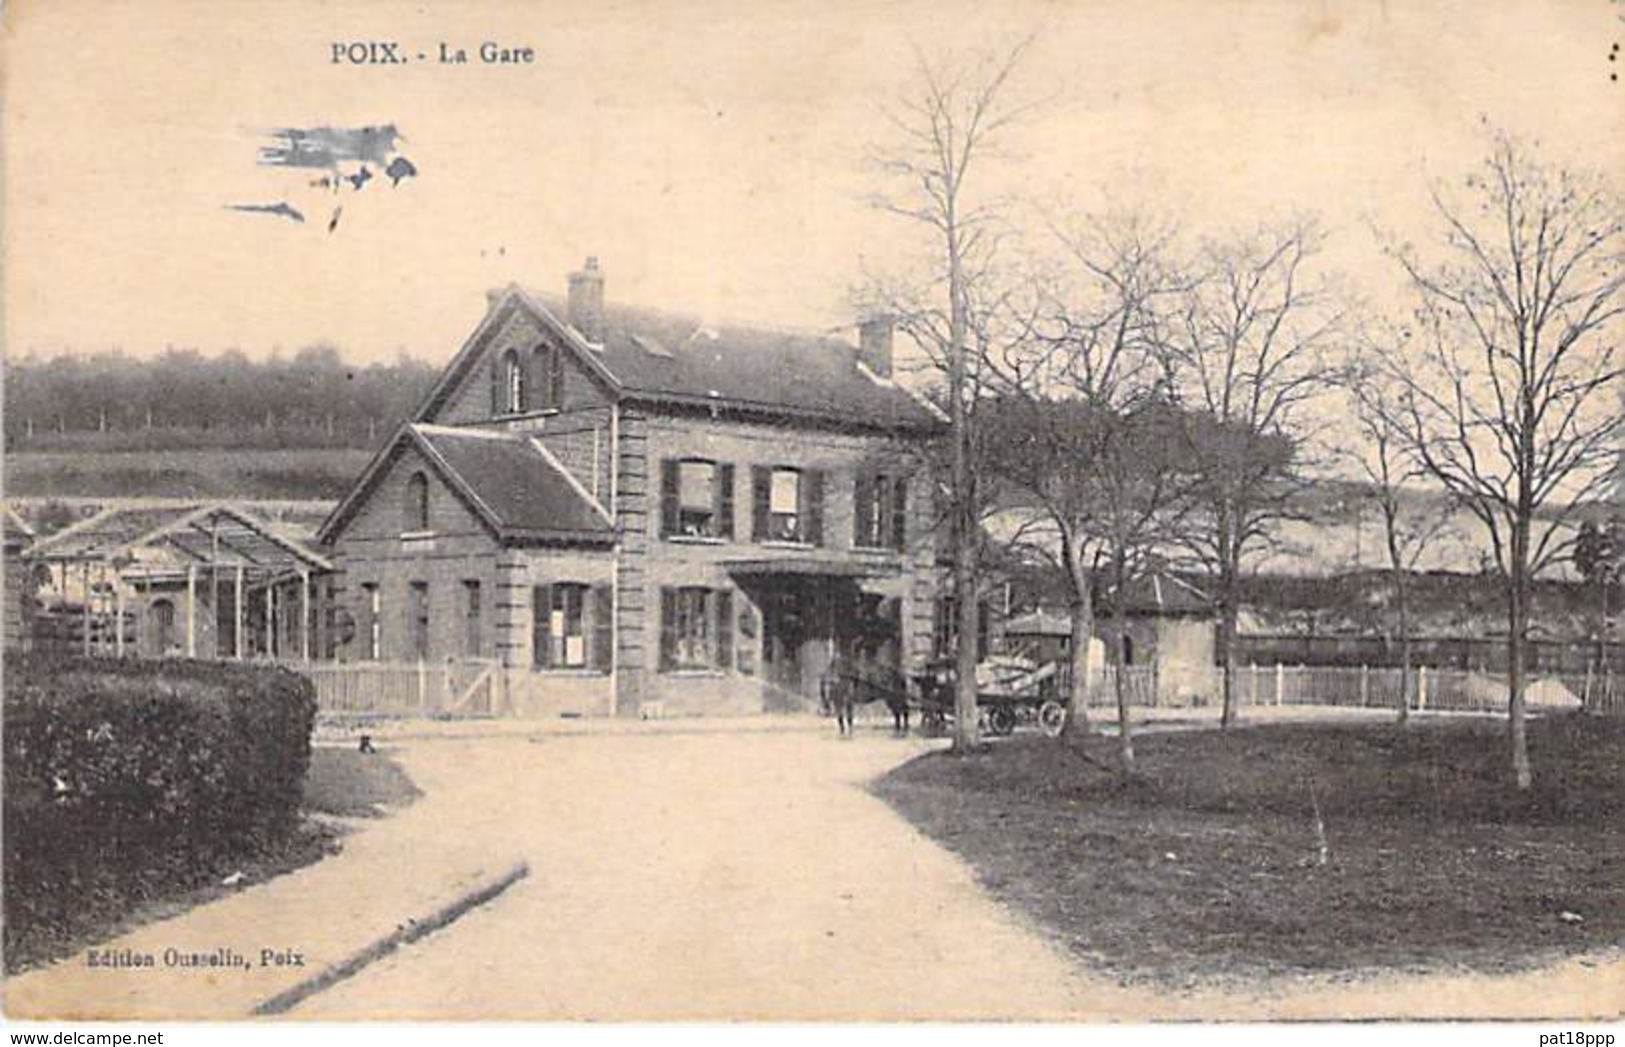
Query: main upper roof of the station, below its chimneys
675	360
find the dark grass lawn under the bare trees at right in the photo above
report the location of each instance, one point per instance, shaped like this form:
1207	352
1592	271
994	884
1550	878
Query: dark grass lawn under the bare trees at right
1208	866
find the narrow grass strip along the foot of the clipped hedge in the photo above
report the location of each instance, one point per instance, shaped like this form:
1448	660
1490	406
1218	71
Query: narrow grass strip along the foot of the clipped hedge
340	783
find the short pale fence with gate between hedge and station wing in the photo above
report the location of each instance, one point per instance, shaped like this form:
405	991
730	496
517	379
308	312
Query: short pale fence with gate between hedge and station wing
404	689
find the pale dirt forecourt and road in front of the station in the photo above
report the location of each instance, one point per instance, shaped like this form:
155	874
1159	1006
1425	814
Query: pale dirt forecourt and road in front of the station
691	875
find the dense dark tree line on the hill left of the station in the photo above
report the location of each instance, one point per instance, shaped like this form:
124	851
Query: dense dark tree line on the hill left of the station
184	399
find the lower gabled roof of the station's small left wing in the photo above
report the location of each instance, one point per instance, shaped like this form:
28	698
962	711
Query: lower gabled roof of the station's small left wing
511	482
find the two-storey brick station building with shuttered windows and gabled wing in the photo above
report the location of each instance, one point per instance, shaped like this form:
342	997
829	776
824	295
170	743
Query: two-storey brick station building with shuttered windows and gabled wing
633	513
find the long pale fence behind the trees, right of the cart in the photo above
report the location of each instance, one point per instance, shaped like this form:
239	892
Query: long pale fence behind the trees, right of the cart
1358	687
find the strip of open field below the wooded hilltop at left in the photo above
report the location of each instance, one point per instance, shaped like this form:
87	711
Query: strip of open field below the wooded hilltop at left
324	474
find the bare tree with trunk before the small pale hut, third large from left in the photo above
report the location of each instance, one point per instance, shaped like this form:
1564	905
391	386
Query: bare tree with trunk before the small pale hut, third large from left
1249	357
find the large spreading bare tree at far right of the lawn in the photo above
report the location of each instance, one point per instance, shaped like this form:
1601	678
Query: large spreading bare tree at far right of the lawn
1510	380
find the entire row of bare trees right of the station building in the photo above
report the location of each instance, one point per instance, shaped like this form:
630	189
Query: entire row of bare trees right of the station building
1151	396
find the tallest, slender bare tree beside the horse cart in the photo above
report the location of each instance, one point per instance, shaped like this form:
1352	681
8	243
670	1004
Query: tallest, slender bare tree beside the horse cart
943	131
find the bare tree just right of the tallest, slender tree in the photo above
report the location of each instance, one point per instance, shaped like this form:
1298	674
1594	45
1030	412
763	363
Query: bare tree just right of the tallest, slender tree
1083	424
